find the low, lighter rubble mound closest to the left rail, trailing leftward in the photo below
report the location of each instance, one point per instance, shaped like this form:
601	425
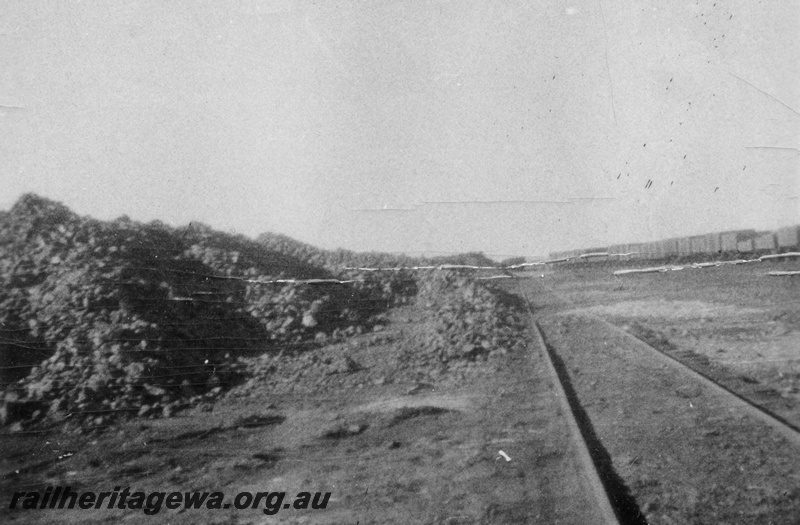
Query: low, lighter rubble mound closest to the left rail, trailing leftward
432	350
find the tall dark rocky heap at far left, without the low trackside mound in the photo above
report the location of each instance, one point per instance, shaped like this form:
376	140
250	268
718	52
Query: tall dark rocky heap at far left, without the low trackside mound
101	320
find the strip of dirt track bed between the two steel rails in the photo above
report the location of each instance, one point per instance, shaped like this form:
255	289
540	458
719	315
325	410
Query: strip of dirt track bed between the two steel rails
689	453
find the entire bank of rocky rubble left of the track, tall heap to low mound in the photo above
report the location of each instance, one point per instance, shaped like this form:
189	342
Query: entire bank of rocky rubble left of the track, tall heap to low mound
106	320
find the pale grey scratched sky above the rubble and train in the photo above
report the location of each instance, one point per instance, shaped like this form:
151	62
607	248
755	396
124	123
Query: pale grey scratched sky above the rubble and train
512	128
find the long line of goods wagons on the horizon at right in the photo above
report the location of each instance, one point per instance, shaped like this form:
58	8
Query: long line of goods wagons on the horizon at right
720	245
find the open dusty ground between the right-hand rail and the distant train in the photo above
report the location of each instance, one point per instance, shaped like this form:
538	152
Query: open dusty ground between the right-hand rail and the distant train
733	324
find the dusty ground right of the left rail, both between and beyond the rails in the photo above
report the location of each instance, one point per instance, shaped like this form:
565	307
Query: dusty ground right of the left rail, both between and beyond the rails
685	453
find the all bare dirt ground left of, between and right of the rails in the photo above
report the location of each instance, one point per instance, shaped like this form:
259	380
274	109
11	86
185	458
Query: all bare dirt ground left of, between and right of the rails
398	440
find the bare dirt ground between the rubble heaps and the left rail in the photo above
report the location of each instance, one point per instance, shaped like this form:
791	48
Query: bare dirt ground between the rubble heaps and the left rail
393	440
